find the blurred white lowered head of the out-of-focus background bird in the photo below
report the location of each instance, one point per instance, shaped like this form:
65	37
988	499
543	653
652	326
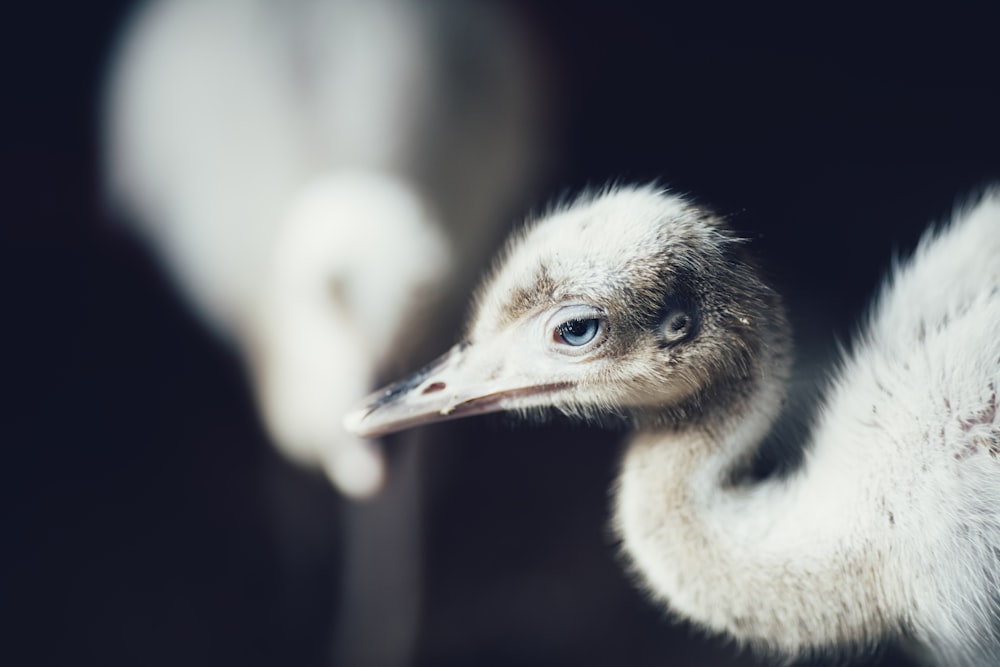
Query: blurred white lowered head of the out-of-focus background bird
355	256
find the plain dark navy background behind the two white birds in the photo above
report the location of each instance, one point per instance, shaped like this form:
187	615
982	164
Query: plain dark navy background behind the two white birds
139	509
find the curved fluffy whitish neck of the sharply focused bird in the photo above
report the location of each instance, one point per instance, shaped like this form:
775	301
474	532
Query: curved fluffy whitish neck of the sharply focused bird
781	563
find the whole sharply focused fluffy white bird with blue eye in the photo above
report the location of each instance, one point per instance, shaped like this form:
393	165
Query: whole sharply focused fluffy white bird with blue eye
638	304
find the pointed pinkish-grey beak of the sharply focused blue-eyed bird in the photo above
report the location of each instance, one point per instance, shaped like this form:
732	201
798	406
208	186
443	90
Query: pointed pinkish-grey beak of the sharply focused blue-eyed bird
467	380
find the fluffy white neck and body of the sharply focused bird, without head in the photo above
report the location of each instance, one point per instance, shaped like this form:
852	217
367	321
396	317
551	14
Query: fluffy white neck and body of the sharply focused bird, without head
890	526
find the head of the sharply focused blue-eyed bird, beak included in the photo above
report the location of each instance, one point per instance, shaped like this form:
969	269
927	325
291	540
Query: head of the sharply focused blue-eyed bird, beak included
633	303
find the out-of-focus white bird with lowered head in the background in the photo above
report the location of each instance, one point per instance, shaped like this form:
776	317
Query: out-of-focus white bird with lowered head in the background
309	171
